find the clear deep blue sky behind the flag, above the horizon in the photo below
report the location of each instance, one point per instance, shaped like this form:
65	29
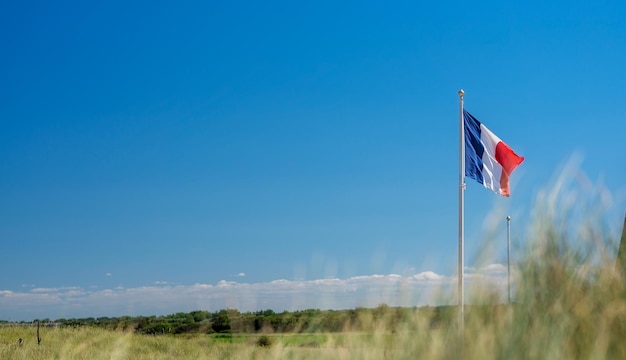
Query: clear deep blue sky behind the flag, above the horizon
173	147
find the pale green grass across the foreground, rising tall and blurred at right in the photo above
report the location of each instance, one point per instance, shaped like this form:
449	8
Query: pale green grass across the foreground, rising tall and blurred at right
569	303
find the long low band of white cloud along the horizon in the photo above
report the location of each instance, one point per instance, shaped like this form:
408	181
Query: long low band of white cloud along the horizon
426	288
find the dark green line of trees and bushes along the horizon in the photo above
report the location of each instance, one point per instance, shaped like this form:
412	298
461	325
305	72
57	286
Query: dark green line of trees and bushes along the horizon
230	321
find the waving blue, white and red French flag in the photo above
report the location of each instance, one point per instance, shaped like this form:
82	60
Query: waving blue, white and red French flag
488	160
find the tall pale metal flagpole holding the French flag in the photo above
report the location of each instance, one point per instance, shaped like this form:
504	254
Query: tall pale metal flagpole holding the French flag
461	212
